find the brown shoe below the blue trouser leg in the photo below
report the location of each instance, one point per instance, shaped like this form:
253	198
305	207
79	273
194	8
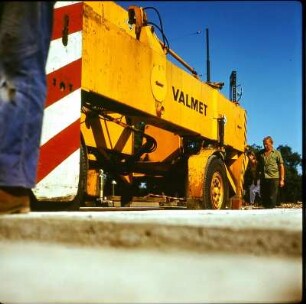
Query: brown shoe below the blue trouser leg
14	200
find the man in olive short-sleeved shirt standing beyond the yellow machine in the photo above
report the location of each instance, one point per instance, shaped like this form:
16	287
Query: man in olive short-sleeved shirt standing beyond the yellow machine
271	171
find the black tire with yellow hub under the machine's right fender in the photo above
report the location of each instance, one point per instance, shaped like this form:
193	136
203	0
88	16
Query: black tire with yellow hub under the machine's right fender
215	188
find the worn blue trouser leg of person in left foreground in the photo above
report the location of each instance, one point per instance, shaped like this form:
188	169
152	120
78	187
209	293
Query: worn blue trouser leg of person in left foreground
25	31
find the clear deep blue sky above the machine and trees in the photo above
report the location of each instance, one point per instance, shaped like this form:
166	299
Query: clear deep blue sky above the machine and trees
260	40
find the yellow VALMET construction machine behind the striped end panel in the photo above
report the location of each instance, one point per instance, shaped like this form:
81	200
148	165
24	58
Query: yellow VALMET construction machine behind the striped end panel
151	129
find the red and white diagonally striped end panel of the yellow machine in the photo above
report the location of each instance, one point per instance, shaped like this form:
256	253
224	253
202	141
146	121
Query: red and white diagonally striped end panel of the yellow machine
59	162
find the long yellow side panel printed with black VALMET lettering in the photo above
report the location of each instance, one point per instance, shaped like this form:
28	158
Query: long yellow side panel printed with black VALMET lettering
135	76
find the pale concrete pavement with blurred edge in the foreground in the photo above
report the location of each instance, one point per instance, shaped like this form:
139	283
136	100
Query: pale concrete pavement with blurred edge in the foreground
184	256
